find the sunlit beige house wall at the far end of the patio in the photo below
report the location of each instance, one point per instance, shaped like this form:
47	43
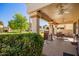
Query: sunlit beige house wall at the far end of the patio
67	29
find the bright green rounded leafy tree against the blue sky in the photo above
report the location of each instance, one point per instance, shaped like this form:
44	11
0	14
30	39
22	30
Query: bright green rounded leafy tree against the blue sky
19	22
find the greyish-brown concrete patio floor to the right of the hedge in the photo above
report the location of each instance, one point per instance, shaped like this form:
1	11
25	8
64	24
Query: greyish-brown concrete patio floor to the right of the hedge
57	47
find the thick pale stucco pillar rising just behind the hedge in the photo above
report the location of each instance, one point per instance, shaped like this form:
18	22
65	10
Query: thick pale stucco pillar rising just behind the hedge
34	20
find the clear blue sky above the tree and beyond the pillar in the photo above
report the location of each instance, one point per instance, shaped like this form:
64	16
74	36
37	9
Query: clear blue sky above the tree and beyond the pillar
8	10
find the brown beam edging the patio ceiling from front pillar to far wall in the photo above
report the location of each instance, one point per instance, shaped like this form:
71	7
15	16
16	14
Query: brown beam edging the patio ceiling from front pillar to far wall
47	18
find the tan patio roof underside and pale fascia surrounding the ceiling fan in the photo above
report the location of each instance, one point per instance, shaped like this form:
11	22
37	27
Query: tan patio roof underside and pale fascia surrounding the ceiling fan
49	12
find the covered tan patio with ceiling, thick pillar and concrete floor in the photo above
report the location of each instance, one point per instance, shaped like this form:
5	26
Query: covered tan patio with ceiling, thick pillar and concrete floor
63	19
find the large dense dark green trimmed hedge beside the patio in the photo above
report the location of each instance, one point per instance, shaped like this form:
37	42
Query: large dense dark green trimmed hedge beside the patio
24	44
